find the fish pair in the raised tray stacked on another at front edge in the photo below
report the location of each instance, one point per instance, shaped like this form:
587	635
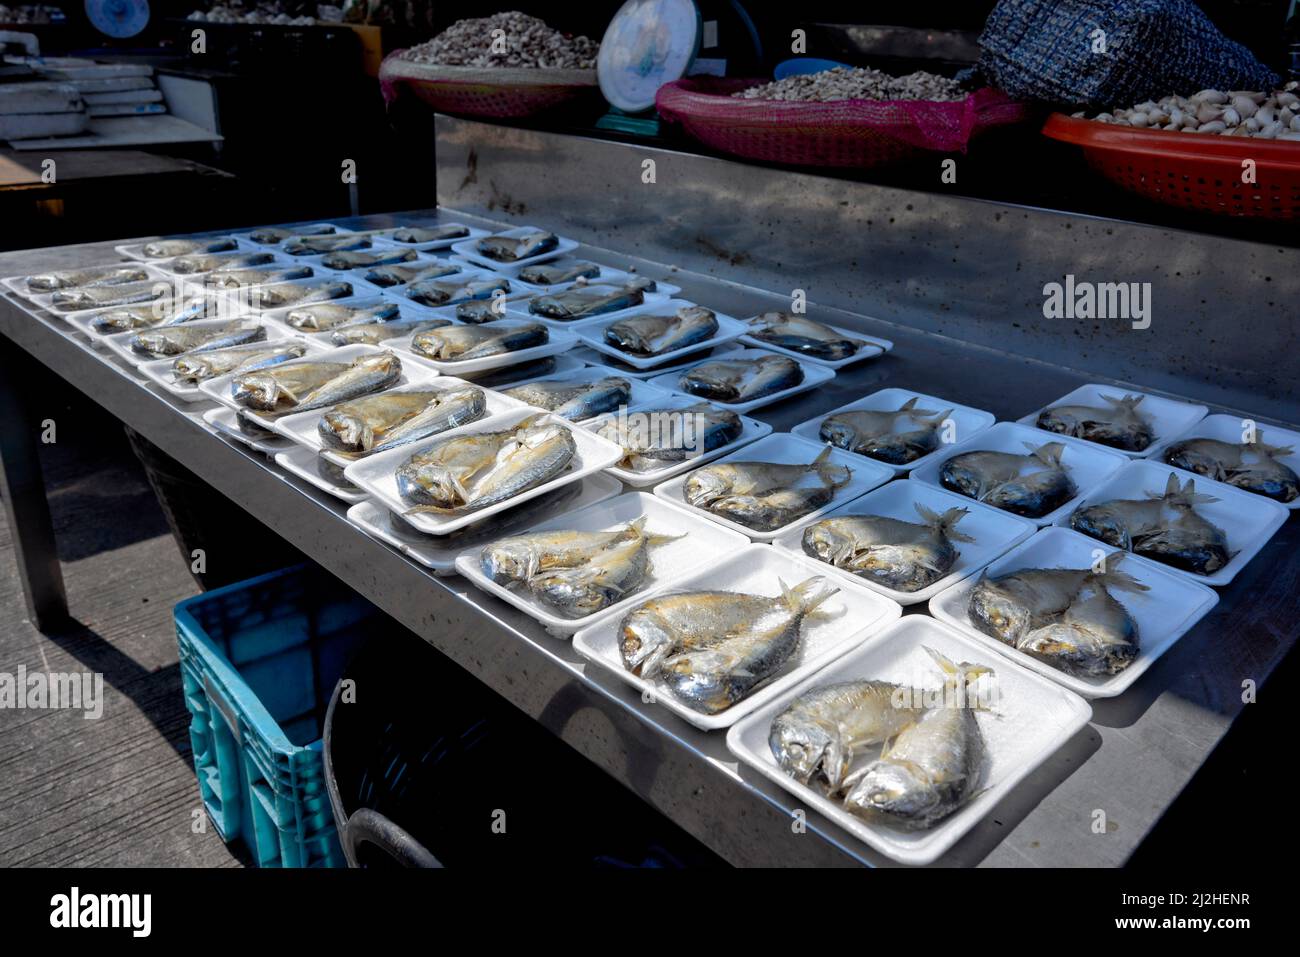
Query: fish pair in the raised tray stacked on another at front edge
479	470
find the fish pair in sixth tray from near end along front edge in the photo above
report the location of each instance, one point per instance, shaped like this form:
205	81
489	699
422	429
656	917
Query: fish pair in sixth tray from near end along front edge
302	387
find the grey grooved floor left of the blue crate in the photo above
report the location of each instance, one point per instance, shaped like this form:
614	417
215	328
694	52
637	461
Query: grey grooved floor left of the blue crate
120	790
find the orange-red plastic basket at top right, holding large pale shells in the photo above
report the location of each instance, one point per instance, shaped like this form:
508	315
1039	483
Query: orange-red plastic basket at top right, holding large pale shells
1188	170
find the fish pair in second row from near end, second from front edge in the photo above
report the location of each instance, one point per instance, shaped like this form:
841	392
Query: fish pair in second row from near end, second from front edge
903	556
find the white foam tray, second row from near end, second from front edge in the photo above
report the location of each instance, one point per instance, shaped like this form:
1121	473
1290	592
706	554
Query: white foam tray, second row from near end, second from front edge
993	530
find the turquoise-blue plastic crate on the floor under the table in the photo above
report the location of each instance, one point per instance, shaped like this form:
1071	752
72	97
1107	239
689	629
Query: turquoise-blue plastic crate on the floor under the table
259	661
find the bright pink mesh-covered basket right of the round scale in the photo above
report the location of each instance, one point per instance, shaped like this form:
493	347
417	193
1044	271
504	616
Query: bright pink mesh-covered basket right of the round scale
842	133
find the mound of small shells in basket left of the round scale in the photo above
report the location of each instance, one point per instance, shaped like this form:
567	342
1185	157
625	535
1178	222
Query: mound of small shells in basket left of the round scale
523	42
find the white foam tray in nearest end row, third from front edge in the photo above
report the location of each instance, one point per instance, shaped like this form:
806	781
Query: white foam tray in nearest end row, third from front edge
1246	519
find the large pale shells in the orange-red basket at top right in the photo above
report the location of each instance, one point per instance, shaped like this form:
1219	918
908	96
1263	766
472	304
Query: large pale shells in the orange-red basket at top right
1236	114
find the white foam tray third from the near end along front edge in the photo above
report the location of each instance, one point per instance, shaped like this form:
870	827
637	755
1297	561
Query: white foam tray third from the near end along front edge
697	544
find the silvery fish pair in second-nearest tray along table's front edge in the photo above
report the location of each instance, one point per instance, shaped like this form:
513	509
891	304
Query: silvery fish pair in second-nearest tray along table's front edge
710	649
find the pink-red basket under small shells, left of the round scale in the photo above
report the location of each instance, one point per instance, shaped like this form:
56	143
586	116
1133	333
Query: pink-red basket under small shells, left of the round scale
501	94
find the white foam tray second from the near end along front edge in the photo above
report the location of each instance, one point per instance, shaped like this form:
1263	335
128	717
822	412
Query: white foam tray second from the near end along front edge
853	614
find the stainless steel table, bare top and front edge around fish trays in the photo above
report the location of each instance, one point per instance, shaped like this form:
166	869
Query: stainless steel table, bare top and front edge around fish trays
1132	761
